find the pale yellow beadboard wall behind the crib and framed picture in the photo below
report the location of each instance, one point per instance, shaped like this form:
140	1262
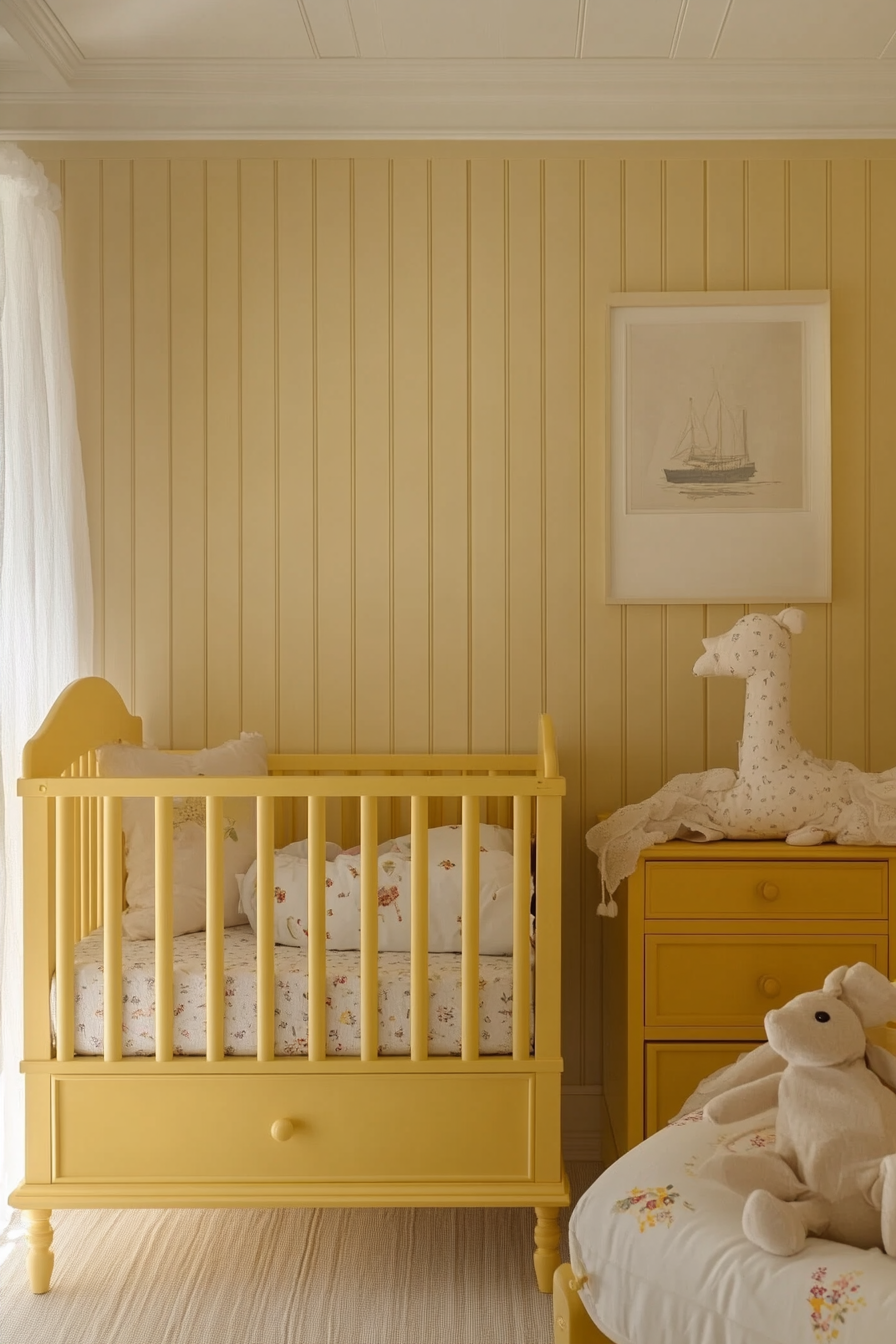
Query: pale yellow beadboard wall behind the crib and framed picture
343	421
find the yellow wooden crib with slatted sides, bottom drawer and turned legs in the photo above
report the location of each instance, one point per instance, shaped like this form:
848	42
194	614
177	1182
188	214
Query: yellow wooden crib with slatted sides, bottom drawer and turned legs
221	1130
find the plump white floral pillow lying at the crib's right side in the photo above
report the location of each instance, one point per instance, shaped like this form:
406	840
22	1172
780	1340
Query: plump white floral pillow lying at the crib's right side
394	888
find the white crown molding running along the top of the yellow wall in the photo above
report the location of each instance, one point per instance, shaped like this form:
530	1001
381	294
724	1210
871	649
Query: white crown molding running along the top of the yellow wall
381	99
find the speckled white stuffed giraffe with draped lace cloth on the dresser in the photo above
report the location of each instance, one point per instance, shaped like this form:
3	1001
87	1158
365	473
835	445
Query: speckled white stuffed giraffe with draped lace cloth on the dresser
781	791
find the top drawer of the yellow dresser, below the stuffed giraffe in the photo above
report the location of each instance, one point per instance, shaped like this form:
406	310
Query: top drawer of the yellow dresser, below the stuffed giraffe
757	890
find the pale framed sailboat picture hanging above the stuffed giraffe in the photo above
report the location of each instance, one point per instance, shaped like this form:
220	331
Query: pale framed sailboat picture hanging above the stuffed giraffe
719	448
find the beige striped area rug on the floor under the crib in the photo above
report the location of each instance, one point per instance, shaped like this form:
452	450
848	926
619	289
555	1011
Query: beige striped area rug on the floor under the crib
400	1276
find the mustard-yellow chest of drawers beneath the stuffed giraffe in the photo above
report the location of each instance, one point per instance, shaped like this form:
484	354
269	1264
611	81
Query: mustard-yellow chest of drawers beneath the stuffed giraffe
709	939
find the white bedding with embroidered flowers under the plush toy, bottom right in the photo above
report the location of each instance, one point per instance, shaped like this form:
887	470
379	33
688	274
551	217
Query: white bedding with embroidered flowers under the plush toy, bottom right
667	1260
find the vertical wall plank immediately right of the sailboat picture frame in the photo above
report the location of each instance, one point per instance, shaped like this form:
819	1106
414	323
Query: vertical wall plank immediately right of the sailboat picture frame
850	428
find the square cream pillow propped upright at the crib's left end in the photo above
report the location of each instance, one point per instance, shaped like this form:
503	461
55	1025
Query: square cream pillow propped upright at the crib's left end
247	756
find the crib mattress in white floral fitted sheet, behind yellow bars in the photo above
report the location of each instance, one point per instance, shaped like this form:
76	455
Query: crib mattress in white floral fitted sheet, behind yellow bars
291	1002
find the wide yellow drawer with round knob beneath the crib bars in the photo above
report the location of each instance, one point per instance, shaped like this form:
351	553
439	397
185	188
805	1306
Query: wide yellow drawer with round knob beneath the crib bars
345	1128
